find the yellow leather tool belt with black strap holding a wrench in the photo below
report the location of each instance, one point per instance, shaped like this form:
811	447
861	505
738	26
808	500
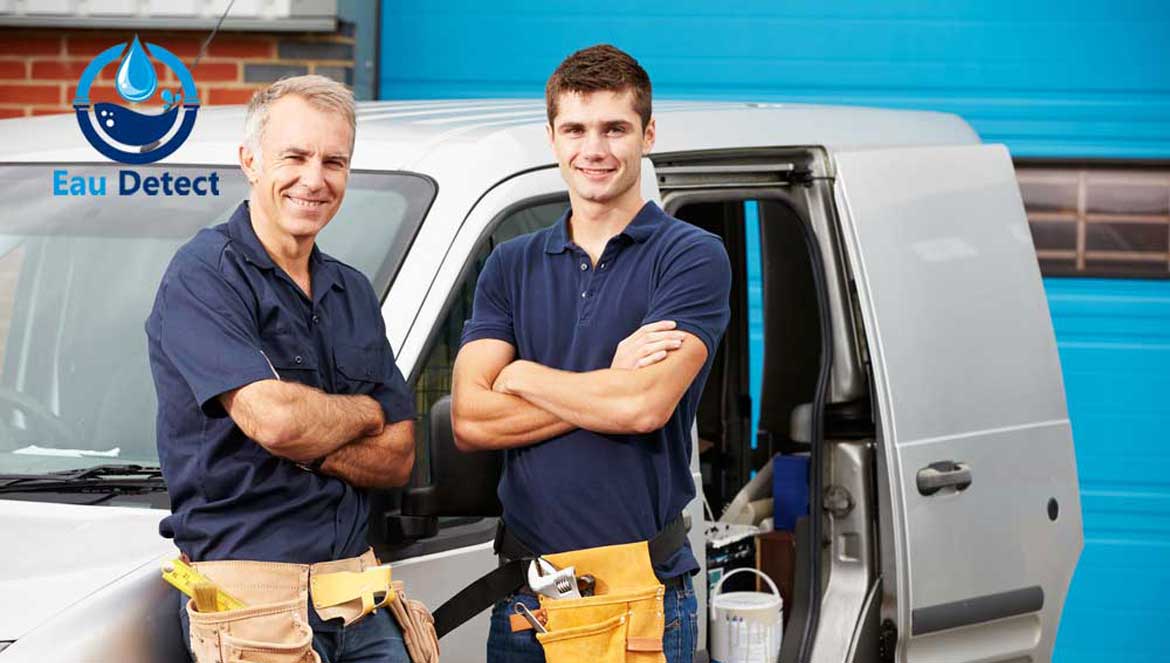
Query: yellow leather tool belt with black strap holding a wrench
623	621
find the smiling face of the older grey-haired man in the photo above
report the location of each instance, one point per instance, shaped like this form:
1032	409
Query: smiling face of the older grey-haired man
300	175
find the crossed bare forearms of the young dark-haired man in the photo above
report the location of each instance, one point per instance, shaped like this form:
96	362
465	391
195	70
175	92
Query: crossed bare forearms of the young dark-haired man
498	403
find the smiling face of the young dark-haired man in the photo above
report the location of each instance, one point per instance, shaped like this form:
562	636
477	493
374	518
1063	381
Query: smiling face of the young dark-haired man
598	141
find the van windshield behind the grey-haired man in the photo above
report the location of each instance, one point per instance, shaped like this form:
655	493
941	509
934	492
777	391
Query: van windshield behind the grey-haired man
78	280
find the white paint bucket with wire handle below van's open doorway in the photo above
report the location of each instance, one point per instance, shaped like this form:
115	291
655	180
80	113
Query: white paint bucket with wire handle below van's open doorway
746	626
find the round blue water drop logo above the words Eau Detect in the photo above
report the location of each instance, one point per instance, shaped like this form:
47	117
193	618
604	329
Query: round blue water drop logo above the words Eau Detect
127	135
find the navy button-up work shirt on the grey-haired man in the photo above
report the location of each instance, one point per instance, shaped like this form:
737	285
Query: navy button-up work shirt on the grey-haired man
225	316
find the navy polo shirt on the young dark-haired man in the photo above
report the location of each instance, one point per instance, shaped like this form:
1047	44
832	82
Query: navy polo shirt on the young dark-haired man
541	294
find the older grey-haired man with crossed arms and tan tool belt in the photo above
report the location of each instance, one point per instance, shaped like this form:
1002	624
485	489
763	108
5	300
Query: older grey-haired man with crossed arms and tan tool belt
267	437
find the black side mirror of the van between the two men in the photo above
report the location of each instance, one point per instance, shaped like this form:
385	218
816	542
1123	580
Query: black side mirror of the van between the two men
463	485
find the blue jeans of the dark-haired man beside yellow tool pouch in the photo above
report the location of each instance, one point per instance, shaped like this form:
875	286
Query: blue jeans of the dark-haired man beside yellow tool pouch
521	647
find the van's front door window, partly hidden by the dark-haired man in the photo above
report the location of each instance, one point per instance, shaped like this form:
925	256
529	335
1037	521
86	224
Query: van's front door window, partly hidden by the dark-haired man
433	381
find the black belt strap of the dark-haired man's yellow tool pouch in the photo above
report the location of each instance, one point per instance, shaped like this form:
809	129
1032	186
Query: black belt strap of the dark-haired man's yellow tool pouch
511	575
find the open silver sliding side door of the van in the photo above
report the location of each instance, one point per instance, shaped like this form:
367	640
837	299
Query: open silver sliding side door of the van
982	529
